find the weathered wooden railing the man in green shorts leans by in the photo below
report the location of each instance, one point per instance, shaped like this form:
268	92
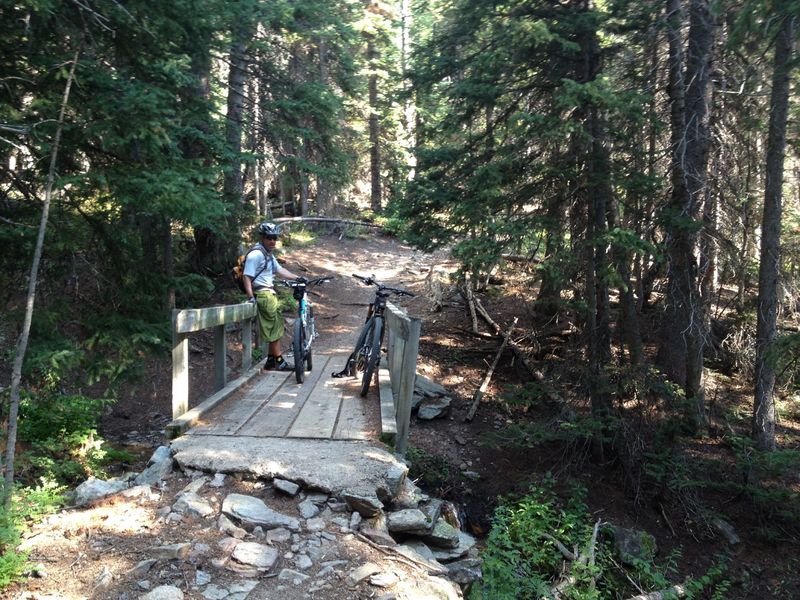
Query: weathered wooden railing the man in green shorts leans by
192	320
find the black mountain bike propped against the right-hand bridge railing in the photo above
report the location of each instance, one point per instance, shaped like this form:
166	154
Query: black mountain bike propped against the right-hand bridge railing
367	354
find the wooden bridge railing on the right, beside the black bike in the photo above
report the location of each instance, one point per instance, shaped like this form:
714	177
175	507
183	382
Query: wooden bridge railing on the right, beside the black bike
397	379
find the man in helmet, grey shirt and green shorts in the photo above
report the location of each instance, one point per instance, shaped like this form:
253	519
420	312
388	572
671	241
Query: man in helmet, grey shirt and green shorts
260	269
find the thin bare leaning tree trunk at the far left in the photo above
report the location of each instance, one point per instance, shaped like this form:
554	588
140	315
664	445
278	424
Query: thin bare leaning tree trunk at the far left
22	342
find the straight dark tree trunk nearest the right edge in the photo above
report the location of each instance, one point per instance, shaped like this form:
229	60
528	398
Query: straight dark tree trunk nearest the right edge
763	428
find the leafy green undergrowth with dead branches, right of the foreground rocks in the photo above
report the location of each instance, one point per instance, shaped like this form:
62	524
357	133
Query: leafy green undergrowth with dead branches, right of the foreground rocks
544	546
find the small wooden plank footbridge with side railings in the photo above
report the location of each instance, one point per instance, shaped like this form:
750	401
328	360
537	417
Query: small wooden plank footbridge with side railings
271	404
